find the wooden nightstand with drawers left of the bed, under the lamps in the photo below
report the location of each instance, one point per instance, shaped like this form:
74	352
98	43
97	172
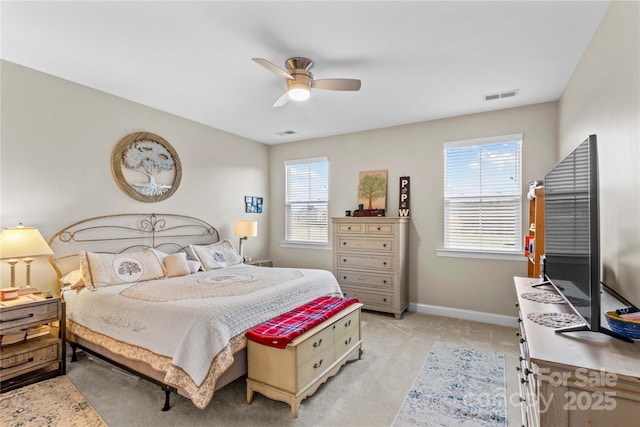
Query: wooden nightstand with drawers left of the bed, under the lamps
41	353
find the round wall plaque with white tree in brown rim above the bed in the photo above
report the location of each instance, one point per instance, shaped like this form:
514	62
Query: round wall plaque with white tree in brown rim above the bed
146	167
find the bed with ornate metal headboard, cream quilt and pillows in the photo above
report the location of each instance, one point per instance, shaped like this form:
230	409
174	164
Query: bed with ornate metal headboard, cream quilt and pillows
185	332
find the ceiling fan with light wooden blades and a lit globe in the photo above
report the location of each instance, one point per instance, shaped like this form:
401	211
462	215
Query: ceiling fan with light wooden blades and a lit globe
300	80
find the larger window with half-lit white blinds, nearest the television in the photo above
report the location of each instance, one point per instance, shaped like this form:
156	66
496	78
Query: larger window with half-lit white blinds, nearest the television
482	194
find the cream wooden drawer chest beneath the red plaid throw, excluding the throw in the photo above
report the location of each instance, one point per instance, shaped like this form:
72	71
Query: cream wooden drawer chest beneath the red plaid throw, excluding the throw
295	372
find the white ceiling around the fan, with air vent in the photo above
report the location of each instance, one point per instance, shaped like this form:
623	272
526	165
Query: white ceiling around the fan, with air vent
418	60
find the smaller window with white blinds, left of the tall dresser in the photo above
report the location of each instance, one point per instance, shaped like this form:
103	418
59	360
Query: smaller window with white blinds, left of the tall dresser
307	199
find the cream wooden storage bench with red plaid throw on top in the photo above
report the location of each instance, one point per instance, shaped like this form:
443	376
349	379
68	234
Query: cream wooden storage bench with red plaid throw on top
291	355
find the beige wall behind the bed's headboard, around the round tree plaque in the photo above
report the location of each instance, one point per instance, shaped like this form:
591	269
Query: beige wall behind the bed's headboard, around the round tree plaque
57	139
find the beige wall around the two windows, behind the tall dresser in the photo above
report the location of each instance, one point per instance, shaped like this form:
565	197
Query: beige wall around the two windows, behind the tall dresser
416	151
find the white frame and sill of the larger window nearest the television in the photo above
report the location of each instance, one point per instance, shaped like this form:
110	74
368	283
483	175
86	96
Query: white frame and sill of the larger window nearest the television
514	252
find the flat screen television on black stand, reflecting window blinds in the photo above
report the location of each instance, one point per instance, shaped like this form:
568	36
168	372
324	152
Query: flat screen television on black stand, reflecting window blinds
572	235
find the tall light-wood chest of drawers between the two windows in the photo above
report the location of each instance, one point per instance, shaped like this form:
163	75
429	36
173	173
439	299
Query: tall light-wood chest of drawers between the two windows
370	261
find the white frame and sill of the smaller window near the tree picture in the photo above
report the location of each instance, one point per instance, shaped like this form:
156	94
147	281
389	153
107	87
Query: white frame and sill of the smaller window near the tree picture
299	243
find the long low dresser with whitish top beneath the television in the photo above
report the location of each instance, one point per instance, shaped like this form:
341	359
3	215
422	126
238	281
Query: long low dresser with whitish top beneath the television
574	380
